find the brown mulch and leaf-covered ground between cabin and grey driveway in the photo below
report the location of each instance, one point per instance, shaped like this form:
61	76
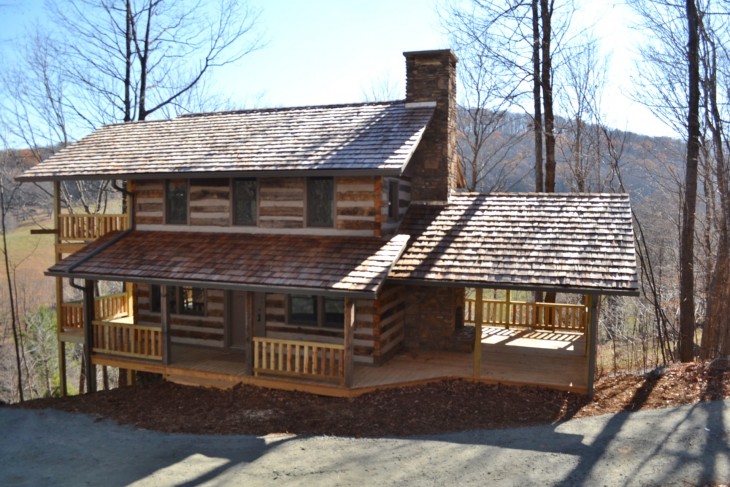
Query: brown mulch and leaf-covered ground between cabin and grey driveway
445	406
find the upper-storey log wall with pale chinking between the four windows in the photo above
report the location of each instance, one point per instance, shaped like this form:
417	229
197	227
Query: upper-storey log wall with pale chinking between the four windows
358	205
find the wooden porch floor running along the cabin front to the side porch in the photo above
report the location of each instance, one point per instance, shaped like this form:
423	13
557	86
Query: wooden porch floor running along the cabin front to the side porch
509	356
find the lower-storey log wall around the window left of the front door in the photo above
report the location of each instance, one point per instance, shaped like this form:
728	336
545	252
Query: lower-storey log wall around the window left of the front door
208	330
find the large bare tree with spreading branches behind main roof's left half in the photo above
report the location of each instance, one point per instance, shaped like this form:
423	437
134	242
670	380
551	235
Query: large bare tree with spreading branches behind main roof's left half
132	58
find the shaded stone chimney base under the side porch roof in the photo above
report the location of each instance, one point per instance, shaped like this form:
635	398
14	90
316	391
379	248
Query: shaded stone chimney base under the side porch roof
432	316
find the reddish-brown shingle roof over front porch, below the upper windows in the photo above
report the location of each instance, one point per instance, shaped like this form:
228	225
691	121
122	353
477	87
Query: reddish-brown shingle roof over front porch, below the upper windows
342	265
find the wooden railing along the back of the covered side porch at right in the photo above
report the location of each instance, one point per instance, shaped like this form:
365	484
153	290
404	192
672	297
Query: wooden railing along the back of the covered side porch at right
540	316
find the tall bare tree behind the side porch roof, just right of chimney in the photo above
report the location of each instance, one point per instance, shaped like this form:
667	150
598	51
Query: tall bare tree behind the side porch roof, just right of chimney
521	43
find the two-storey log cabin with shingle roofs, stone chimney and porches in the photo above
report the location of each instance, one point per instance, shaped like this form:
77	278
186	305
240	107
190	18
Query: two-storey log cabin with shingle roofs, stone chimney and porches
329	249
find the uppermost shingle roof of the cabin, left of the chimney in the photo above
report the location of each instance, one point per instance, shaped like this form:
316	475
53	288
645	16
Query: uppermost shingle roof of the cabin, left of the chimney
376	137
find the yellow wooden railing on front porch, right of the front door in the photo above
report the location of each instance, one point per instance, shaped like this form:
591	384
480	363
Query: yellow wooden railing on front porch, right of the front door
322	361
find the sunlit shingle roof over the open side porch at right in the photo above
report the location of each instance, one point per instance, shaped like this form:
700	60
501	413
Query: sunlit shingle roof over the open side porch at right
570	242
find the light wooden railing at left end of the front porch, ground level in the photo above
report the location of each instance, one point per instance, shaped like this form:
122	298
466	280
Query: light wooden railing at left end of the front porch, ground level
127	340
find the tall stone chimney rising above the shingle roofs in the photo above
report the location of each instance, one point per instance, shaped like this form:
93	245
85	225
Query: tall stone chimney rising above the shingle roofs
431	77
